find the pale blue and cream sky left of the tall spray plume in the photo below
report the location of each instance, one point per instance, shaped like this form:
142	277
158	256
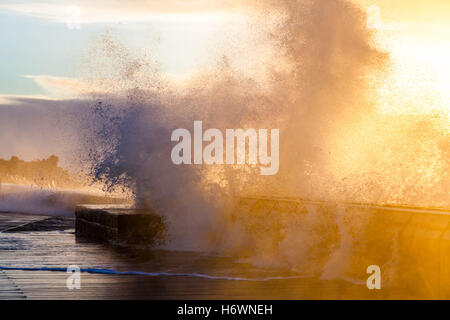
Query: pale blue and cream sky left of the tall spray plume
46	39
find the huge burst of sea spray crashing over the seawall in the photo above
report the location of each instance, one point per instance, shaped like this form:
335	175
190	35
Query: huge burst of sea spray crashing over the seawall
320	92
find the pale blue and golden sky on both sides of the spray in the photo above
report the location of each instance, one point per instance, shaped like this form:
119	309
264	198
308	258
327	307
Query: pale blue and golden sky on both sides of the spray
41	40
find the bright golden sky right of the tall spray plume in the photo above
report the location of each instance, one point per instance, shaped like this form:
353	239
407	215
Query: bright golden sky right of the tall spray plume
417	36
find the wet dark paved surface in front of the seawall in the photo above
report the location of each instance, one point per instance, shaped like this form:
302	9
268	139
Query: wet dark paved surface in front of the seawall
39	242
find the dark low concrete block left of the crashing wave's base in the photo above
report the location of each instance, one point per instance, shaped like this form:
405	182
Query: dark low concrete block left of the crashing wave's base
119	223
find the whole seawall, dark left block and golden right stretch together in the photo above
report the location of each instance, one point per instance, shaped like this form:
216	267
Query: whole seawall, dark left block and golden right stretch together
410	245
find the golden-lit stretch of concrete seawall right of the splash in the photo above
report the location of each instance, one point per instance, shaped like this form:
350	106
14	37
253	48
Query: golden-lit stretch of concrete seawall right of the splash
411	245
